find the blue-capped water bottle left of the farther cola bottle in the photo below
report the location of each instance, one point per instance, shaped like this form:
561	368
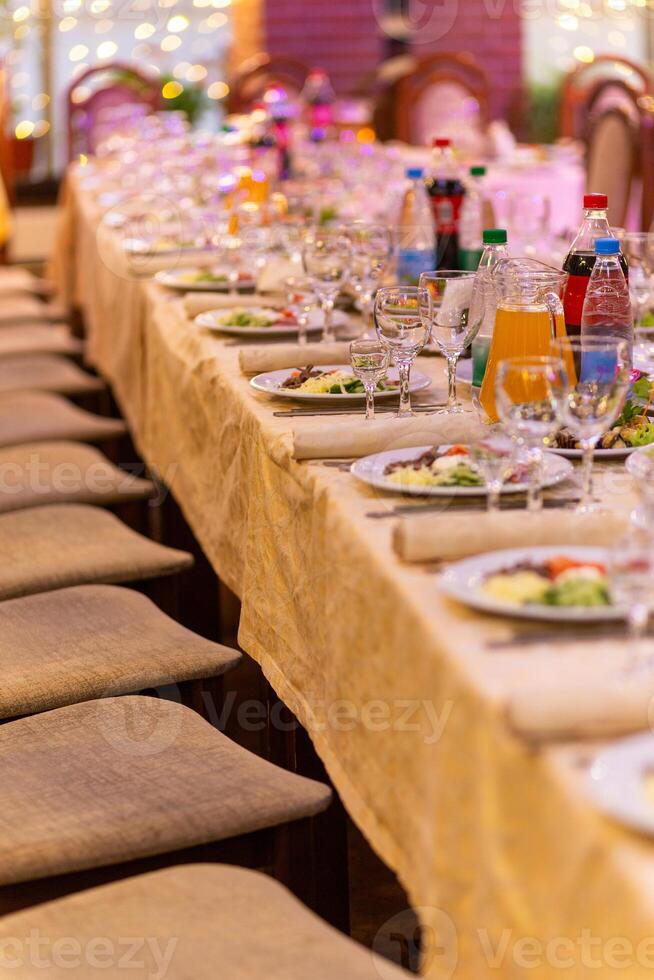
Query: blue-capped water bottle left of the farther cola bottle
417	238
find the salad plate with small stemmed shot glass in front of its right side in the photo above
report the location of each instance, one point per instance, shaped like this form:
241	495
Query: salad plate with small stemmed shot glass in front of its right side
329	383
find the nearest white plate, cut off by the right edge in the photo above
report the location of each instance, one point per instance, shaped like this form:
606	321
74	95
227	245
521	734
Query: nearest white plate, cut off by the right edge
617	785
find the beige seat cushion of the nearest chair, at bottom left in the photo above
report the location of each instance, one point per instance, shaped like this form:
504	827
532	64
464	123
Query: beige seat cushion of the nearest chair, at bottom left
203	921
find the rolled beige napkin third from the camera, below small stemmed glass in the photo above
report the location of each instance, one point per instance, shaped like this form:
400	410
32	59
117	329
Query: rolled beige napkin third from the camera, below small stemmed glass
335	438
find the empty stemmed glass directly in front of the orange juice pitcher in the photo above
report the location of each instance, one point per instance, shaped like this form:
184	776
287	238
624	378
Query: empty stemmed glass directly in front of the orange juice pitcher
528	395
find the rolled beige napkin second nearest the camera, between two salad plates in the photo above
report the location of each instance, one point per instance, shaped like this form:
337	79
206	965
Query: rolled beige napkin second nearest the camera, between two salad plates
447	536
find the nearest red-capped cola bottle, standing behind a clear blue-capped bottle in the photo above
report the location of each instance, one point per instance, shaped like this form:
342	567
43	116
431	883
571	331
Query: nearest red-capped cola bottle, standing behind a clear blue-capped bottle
580	260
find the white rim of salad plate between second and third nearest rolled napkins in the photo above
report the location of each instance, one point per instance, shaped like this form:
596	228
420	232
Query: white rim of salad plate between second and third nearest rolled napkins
370	469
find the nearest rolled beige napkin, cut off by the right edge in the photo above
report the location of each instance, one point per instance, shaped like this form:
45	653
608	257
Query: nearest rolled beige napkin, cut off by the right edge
598	704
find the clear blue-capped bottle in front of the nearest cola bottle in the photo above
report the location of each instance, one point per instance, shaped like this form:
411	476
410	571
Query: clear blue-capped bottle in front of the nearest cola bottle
607	307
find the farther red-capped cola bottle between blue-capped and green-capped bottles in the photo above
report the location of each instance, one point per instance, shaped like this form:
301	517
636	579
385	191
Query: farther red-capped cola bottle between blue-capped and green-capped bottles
446	190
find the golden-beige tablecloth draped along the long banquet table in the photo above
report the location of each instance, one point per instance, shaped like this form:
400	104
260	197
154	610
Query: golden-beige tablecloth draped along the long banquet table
492	836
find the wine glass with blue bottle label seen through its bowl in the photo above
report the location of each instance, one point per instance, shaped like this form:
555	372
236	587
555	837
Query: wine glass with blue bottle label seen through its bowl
596	371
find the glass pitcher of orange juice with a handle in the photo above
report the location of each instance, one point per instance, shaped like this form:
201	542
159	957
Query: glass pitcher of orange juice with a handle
529	315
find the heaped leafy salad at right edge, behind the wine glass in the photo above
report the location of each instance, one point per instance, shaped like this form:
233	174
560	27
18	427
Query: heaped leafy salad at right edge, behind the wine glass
633	429
